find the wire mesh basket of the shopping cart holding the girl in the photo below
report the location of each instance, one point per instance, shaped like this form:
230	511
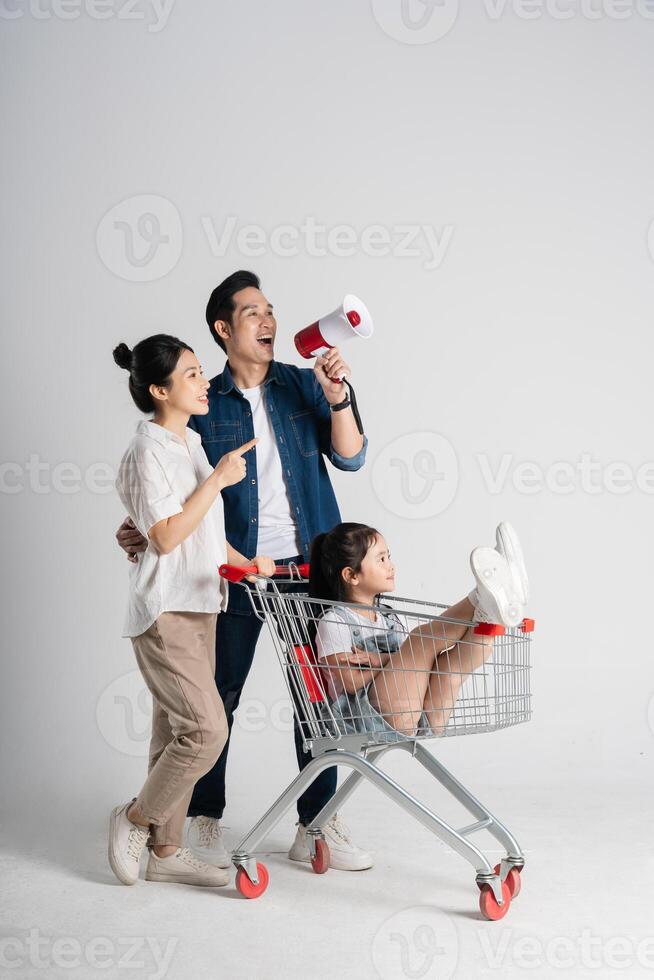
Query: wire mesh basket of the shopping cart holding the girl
410	672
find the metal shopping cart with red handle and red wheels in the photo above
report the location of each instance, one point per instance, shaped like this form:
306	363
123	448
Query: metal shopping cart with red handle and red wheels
478	682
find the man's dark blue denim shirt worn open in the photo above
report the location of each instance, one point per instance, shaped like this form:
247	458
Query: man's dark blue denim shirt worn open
301	420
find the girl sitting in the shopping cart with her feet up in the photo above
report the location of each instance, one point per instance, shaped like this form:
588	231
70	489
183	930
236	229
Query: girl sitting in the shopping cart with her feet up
381	676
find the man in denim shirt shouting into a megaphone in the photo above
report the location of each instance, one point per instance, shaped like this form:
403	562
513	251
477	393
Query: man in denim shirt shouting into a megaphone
299	415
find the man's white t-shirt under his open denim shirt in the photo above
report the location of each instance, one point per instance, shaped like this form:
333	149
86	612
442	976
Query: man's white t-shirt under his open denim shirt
278	533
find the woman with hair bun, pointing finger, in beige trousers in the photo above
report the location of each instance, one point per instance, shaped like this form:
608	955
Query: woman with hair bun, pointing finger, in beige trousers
173	496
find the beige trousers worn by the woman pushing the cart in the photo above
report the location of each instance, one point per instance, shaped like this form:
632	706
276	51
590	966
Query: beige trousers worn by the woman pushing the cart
177	657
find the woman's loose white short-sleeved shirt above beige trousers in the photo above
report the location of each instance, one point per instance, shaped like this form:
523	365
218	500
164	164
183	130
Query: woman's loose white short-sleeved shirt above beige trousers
158	474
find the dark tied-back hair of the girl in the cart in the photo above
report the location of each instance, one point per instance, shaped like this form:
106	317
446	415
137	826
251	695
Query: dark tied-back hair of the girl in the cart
345	546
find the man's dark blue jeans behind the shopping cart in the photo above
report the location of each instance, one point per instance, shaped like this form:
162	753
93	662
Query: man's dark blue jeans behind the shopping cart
236	640
